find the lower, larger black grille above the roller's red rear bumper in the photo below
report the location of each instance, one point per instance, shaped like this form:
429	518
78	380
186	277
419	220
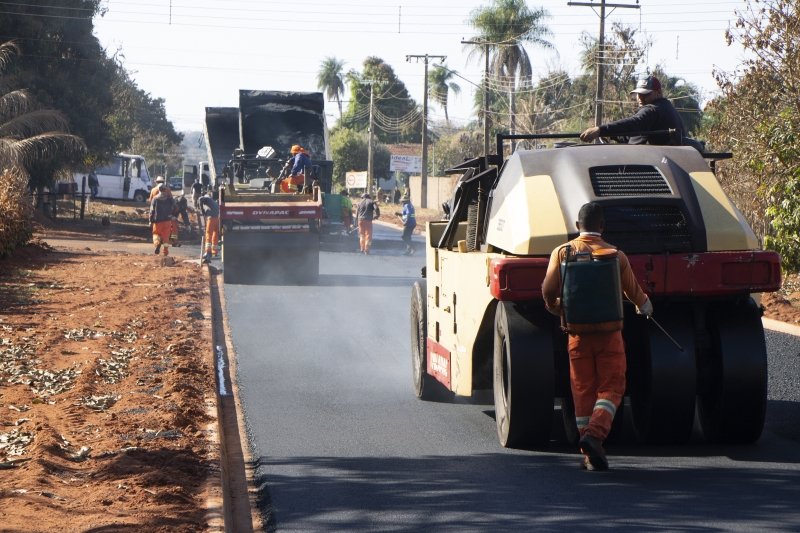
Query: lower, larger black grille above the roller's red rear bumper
647	229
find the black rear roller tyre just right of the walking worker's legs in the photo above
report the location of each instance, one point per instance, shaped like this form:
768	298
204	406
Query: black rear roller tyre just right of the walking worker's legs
662	379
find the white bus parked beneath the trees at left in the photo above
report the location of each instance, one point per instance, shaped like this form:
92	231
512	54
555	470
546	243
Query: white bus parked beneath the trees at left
123	177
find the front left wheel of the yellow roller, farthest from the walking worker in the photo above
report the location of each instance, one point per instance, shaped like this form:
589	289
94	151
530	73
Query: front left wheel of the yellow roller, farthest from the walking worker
425	386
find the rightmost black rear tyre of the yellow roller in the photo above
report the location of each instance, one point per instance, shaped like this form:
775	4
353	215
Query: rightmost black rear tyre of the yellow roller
733	393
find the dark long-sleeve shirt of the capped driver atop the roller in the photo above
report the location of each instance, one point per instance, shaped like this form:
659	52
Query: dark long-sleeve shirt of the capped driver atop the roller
658	115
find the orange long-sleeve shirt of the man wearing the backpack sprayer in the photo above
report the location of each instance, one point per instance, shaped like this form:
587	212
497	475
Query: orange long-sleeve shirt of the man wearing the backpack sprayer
587	242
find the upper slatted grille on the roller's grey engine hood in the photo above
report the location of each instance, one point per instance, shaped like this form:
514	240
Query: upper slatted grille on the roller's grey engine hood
628	180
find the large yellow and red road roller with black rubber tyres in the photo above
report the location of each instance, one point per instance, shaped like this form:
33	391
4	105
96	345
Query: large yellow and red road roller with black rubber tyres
478	320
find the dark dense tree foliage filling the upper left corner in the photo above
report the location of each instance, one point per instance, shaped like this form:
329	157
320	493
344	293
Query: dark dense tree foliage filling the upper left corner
64	68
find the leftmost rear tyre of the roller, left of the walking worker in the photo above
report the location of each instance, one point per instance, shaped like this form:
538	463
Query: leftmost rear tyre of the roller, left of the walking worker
523	379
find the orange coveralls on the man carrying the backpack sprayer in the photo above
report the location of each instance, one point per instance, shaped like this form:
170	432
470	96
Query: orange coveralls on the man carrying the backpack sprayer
596	355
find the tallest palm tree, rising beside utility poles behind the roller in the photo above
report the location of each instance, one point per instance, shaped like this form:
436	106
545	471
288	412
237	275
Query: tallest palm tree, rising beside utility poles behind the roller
504	28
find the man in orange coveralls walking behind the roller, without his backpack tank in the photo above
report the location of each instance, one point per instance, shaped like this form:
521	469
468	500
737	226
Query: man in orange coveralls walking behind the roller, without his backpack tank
596	351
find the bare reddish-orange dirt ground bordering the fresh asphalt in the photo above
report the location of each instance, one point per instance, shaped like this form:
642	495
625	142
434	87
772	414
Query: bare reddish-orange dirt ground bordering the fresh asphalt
107	385
